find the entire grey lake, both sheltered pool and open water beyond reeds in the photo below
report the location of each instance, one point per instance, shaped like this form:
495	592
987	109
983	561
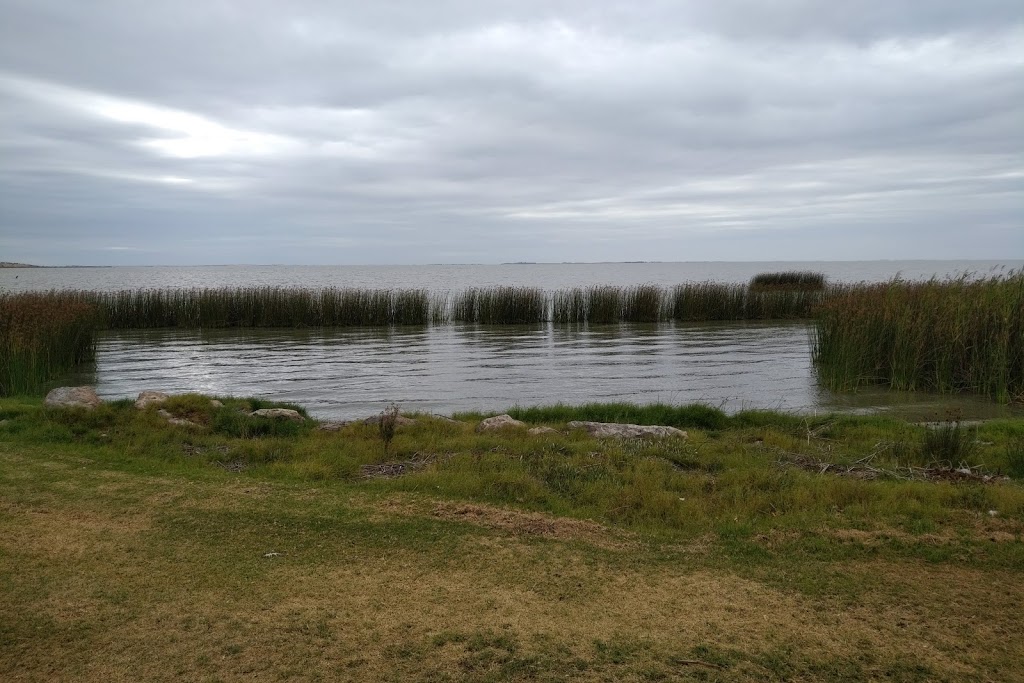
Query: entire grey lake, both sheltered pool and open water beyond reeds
349	373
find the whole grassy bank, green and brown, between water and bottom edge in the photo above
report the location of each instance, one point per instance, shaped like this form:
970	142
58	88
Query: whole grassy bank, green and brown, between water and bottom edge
754	550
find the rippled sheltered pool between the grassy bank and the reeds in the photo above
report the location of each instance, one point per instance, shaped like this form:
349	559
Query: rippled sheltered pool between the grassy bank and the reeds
351	373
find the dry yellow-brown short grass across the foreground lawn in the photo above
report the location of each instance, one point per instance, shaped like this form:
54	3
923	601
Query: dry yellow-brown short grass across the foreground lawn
99	601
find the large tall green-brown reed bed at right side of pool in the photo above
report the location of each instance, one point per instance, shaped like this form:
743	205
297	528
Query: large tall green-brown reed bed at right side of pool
947	336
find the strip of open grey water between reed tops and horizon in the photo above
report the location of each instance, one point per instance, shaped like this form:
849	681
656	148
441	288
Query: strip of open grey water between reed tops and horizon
452	278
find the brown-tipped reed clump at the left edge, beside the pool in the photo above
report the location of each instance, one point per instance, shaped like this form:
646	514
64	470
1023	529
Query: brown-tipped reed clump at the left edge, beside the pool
42	335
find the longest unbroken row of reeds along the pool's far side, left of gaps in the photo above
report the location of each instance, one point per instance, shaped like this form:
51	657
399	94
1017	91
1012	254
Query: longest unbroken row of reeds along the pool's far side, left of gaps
260	308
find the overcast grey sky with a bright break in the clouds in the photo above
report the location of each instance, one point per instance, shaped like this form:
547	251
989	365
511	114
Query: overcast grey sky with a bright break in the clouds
471	132
